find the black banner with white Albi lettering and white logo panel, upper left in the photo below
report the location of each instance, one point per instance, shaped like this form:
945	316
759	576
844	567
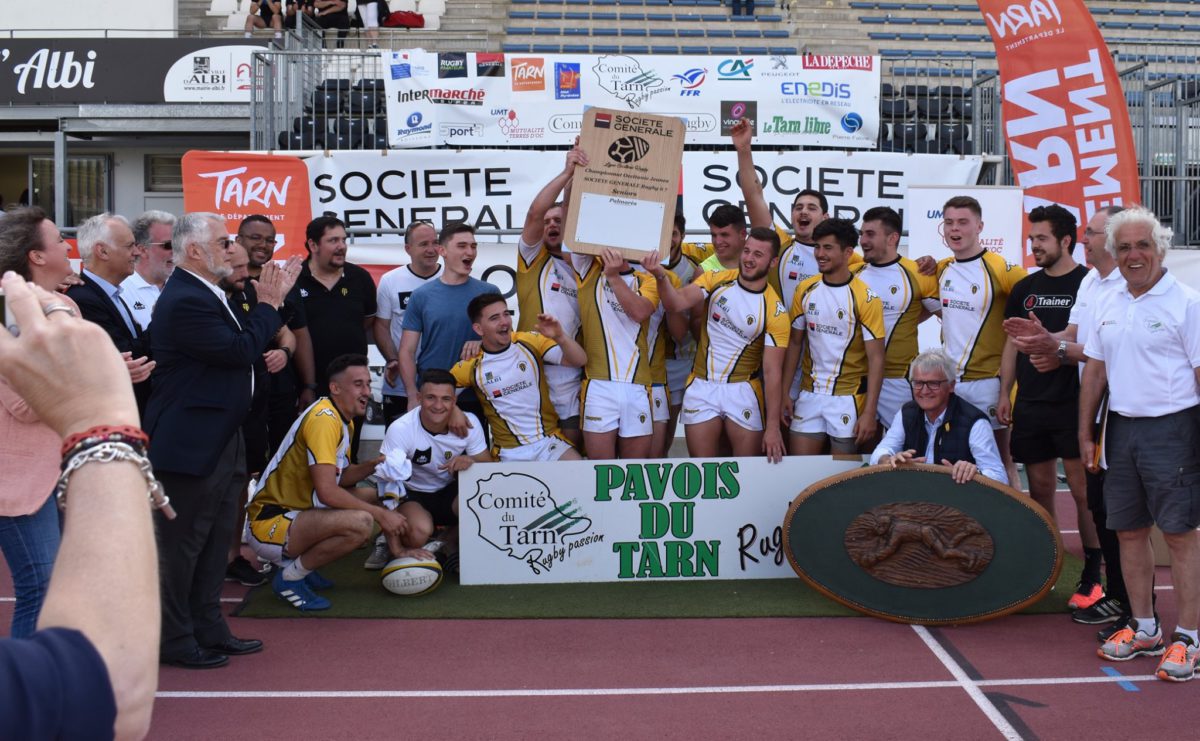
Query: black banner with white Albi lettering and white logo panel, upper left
69	71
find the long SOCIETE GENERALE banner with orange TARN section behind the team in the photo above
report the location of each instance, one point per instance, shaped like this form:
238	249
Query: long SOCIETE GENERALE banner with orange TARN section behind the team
493	189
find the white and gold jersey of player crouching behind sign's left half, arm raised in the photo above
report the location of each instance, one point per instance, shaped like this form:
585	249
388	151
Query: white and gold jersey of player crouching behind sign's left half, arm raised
512	385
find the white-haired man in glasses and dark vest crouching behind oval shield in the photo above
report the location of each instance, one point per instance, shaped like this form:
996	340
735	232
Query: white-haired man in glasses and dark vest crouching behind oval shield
939	427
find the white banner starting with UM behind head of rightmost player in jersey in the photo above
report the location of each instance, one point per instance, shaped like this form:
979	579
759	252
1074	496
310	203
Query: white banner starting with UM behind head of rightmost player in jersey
1004	218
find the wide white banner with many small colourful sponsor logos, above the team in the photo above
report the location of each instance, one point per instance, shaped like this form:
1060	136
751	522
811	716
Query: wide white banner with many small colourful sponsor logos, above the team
476	99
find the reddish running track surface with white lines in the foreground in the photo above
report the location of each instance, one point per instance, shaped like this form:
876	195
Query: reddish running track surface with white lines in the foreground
1024	677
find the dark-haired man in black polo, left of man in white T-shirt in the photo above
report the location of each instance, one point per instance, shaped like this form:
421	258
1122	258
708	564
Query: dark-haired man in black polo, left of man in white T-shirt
339	300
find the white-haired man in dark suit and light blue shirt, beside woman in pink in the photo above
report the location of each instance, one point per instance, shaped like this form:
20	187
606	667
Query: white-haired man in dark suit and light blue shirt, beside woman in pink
110	254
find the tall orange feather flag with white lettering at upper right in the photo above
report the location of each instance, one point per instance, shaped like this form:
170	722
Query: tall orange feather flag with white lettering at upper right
1066	122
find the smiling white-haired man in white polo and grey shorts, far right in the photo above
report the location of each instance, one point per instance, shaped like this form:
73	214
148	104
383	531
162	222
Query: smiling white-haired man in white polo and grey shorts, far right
1145	348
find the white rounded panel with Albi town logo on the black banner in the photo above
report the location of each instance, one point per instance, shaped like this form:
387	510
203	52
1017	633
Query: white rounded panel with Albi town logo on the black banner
215	75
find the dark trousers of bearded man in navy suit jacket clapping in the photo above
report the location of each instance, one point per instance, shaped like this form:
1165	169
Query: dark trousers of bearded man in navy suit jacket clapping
194	550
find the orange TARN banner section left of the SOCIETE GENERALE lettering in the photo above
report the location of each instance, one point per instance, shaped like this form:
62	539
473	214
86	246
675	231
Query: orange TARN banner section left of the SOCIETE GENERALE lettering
237	185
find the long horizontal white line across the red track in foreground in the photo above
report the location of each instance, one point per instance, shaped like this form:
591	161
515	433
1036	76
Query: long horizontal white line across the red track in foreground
302	695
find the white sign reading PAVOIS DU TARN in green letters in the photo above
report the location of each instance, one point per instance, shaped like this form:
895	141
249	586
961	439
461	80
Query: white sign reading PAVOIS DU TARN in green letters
614	521
